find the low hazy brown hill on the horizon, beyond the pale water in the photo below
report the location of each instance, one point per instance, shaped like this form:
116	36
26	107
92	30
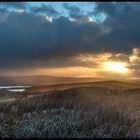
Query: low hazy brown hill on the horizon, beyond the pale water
41	80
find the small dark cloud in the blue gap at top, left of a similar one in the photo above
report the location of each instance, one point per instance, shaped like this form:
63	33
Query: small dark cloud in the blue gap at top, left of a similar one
45	9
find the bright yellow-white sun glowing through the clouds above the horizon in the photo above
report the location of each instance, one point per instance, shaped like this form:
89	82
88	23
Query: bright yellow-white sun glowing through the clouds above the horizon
115	67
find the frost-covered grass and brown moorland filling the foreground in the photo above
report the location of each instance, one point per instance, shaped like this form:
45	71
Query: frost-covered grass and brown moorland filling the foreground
88	112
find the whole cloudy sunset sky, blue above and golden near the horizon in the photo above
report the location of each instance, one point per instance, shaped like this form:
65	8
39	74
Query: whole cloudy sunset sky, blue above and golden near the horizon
72	39
